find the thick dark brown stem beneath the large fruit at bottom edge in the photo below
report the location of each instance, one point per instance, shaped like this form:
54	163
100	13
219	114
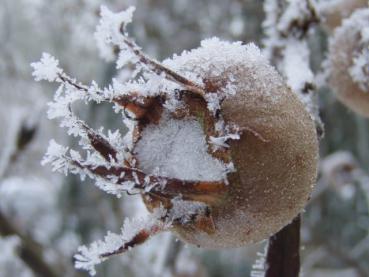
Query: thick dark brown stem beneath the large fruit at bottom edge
283	257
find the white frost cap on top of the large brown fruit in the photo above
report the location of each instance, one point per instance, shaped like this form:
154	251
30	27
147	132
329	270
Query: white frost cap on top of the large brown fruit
215	62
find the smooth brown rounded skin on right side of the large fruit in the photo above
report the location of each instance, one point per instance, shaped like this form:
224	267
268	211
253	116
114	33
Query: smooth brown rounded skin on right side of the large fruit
275	160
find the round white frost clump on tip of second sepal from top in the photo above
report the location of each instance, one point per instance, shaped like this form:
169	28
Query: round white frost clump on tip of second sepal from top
46	69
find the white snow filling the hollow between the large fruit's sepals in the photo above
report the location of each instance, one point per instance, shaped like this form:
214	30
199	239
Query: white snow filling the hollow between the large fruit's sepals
178	149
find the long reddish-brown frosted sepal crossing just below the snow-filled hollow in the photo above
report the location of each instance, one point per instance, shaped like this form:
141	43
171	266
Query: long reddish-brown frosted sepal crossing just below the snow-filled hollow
116	179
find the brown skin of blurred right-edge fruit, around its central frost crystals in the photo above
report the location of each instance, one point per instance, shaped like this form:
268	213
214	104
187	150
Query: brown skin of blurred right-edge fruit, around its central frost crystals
343	46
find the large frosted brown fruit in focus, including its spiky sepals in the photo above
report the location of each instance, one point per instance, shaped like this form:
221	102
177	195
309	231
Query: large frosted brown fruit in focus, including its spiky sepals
221	150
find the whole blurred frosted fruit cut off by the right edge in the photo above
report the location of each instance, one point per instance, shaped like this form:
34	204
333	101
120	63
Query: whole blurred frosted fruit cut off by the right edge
348	62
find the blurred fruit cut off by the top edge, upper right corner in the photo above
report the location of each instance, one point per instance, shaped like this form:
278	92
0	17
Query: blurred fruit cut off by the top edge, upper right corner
334	11
